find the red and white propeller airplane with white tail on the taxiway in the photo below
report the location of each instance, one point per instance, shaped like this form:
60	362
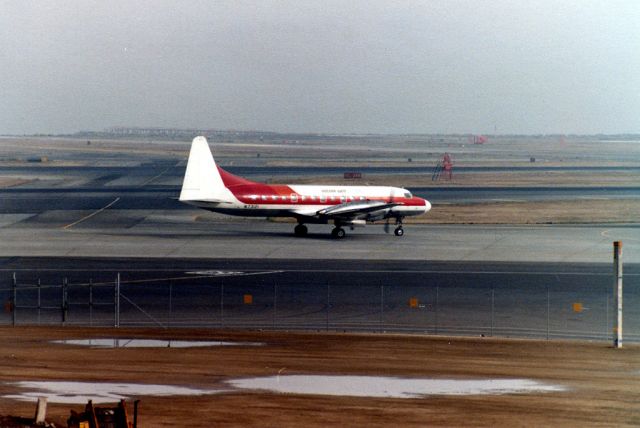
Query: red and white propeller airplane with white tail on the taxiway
210	187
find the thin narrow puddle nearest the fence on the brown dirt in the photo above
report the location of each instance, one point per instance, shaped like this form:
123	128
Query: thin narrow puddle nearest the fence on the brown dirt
150	343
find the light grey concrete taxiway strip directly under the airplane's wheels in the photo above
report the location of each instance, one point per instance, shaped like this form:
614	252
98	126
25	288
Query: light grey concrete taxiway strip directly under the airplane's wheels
194	233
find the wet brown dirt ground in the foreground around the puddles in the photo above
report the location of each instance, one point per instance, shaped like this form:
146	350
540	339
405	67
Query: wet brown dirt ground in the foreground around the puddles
603	383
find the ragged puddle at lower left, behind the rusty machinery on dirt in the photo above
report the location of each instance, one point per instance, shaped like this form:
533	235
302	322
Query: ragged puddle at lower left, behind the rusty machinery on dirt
81	392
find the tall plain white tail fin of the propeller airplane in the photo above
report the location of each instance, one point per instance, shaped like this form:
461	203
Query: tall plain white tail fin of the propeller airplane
202	181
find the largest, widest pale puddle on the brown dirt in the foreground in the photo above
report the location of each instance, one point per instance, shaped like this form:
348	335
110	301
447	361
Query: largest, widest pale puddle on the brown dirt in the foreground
391	387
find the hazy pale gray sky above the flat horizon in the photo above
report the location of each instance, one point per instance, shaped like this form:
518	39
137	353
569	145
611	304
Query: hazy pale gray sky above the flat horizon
321	66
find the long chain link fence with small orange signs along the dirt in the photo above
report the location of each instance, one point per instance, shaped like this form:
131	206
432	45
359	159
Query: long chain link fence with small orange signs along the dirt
297	301
